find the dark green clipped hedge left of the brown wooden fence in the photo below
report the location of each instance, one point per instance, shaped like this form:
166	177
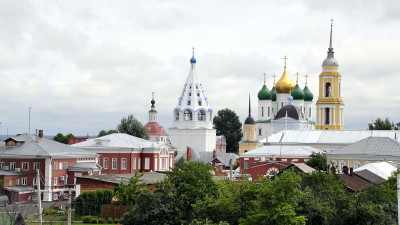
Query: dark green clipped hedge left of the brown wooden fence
90	202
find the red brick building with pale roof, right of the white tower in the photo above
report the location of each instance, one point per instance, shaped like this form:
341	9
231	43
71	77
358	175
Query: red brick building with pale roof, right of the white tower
267	160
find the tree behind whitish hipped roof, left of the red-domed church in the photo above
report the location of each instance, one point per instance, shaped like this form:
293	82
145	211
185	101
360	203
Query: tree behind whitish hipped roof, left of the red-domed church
133	127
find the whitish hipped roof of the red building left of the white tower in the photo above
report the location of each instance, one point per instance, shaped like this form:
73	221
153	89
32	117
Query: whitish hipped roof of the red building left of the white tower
117	140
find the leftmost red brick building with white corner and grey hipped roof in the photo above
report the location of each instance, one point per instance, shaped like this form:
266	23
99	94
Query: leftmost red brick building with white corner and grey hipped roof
58	164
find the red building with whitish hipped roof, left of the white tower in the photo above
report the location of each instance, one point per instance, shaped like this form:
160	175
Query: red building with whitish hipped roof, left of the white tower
123	153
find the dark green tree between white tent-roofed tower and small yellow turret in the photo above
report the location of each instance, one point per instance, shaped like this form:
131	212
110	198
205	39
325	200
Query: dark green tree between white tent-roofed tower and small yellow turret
227	123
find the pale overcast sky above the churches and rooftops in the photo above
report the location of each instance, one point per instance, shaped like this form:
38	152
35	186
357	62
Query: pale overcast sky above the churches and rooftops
83	65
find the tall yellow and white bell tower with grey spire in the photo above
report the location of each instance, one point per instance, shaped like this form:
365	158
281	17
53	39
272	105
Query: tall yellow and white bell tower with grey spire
330	105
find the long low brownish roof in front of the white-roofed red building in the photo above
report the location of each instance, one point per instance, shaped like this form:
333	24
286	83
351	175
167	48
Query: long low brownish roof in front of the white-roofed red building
148	177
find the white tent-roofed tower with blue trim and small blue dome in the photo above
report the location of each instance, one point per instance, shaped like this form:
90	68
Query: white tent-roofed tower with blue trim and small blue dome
193	116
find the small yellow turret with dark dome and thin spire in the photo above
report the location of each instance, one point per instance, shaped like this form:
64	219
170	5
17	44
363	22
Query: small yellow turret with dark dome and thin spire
248	142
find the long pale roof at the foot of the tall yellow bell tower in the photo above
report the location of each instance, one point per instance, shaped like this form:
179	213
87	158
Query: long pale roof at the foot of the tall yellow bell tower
330	136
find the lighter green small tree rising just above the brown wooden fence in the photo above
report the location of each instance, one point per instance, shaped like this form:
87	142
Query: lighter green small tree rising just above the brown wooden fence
127	192
